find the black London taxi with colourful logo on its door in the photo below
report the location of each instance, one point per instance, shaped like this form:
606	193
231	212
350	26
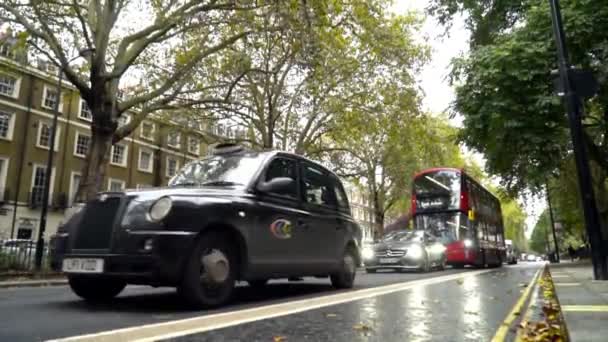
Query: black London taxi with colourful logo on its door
235	215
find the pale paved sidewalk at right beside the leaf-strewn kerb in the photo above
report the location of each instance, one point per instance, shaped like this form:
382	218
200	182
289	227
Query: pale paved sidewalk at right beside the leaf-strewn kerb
584	301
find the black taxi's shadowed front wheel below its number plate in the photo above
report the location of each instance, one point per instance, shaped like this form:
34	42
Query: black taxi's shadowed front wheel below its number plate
96	289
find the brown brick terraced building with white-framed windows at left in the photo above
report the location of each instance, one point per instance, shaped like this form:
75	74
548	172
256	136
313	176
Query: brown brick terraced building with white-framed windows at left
149	157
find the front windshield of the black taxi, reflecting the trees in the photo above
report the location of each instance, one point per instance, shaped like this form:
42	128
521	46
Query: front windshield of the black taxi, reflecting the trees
223	170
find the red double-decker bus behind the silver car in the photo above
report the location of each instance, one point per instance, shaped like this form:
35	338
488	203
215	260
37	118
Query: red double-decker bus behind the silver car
464	215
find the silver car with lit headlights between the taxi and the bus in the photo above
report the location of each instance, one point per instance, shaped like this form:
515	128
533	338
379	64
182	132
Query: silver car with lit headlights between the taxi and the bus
406	250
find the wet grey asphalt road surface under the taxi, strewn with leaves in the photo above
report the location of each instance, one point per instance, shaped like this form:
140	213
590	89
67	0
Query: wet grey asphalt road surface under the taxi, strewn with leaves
471	308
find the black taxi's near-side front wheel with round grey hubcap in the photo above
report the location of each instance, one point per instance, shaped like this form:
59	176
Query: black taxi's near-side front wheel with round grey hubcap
210	275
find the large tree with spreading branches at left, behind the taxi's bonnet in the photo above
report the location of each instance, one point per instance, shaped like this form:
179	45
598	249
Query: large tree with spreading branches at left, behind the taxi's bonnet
154	55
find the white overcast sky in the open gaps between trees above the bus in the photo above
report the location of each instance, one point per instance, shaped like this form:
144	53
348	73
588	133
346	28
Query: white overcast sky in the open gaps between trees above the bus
438	93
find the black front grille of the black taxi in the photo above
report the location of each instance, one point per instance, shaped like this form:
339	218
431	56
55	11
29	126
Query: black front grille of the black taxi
95	227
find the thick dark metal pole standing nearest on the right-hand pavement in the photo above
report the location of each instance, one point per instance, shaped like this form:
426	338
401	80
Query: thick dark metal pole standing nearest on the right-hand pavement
573	102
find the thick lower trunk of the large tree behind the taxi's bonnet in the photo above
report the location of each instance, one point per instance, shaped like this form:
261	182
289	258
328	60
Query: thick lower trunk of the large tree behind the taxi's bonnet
94	170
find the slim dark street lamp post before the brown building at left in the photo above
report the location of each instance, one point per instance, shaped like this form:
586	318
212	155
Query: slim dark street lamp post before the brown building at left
49	165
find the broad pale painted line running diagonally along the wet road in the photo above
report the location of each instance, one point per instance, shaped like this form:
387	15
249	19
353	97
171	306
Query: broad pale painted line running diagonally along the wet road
189	326
